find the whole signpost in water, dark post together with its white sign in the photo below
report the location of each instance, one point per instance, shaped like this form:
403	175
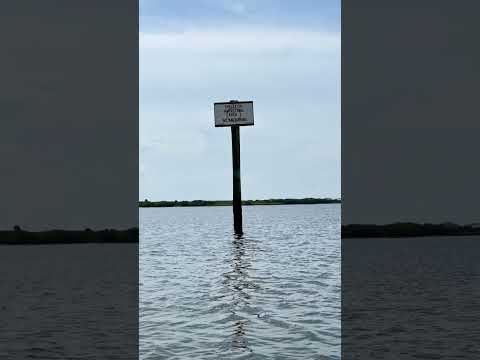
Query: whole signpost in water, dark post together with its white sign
235	113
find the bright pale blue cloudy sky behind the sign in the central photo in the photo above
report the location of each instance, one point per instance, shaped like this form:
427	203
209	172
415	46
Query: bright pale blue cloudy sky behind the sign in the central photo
283	55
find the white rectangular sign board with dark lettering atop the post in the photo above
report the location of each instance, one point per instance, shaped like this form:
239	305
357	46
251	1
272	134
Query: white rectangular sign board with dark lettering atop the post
233	113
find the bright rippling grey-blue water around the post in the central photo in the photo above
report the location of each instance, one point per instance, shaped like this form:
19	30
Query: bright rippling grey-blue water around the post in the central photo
272	293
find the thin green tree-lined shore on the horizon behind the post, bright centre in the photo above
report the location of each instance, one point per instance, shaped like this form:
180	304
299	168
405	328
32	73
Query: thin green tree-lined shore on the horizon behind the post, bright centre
147	203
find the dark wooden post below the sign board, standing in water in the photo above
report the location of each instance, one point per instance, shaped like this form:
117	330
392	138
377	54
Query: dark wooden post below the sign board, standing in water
237	189
